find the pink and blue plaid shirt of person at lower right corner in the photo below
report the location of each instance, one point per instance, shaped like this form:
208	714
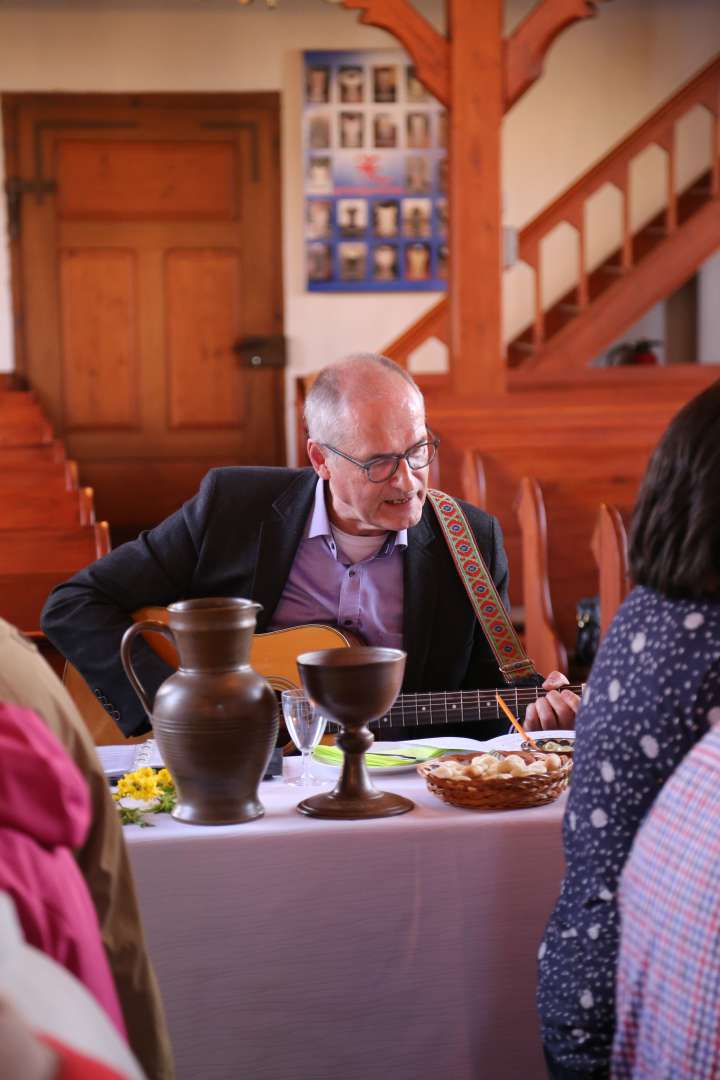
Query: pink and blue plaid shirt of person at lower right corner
669	979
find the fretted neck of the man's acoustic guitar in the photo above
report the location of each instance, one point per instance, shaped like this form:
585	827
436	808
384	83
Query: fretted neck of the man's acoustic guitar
460	707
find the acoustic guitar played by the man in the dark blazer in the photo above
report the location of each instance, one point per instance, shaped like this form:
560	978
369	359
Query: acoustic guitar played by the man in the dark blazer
274	656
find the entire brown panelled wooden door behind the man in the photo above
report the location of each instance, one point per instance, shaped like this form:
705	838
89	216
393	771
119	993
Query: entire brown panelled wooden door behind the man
147	286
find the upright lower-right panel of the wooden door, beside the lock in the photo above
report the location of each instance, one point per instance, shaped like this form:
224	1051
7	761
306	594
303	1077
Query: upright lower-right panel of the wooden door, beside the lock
203	296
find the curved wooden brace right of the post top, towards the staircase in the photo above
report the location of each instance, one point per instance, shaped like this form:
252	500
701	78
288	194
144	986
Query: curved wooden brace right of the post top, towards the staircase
526	48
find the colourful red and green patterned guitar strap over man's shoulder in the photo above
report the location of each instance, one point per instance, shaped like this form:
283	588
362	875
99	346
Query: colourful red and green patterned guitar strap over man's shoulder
512	659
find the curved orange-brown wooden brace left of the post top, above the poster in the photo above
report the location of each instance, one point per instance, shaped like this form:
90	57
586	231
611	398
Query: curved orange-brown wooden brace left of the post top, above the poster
429	50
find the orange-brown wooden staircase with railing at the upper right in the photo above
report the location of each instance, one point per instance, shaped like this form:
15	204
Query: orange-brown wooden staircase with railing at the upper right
651	264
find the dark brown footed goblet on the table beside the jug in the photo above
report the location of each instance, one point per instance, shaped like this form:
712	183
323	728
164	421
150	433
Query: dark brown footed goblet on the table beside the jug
355	687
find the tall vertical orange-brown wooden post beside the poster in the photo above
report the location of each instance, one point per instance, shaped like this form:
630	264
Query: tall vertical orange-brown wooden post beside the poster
476	298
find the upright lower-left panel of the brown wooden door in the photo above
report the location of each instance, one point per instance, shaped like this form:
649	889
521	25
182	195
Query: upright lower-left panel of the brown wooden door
100	348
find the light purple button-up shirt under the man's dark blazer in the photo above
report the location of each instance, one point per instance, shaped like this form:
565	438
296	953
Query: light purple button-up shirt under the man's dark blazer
365	599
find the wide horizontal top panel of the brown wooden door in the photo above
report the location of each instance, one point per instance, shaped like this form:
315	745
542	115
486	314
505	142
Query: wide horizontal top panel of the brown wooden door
157	181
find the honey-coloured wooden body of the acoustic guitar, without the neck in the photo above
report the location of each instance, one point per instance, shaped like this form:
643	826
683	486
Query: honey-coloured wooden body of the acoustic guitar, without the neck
273	656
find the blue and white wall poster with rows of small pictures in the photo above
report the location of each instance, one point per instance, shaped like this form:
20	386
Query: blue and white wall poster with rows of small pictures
376	175
